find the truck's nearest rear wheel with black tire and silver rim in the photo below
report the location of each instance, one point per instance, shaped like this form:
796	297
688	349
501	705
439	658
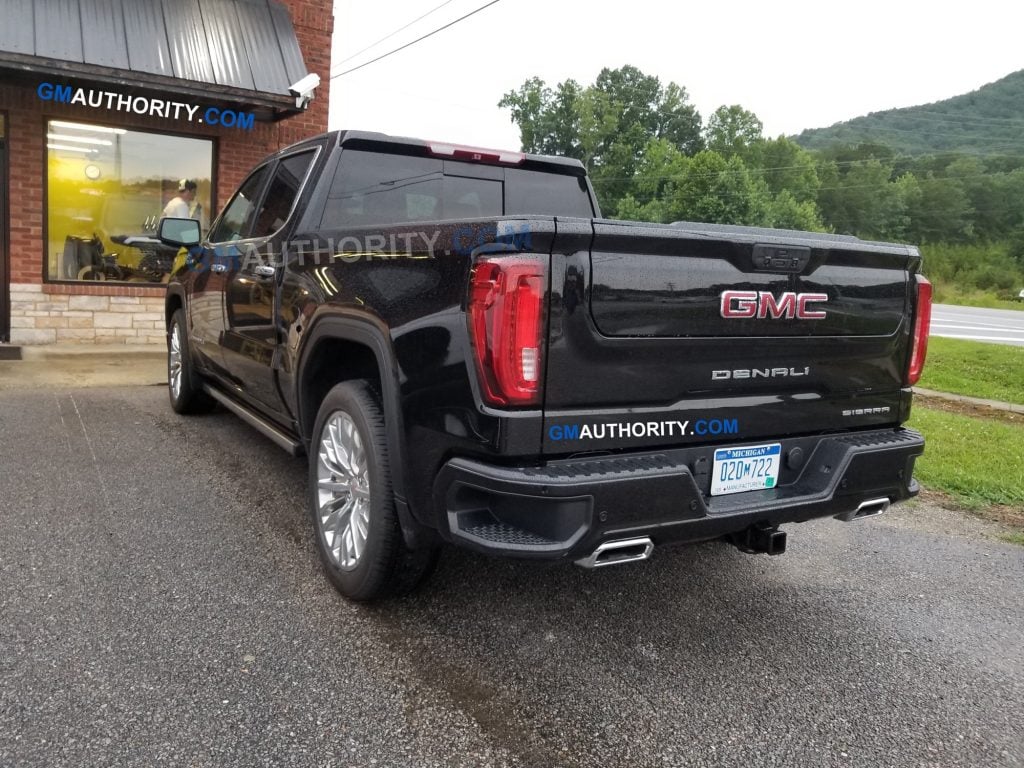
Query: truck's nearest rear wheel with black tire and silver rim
387	568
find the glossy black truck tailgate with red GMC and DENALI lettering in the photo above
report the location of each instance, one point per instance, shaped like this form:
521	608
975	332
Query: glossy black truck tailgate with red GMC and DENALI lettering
676	335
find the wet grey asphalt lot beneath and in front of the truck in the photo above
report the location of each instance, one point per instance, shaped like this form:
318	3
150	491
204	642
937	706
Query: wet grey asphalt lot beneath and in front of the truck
162	606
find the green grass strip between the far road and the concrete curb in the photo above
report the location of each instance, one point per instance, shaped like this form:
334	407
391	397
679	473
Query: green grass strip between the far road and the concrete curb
995	372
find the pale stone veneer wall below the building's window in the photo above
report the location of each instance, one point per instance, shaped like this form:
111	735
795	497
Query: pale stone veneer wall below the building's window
39	318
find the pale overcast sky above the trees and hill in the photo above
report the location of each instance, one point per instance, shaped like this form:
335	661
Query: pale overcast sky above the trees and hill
796	65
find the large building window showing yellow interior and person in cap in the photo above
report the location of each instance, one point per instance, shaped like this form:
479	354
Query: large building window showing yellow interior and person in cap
108	189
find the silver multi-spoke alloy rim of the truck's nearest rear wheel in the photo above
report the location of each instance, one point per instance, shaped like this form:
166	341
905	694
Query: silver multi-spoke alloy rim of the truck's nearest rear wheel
343	491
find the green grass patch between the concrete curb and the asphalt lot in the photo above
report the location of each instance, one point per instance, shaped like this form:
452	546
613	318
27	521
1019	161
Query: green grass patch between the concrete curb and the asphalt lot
977	462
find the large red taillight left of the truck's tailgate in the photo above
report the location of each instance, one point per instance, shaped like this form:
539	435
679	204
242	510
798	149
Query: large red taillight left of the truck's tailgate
506	324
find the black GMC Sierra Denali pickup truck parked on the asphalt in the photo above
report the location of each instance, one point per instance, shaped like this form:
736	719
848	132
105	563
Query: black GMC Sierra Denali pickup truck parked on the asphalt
471	355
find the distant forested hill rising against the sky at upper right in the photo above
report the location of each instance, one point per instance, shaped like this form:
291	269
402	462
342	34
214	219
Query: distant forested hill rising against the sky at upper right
989	121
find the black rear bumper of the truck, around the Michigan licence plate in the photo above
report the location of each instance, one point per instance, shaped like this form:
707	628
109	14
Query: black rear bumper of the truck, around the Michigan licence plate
568	508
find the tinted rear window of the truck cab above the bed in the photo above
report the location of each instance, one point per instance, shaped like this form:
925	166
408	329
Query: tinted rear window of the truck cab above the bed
379	189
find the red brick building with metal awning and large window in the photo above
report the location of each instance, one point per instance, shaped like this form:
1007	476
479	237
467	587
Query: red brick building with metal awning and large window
108	111
